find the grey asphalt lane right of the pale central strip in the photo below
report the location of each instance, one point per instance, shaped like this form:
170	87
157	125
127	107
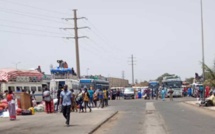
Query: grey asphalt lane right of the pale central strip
183	119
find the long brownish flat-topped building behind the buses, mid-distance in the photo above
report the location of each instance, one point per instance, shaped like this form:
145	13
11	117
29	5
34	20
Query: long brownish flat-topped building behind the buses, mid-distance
118	82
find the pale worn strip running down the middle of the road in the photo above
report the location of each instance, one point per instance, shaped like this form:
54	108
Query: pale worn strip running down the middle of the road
153	122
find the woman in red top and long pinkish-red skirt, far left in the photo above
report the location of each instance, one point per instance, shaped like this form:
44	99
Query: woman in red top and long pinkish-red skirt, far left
11	104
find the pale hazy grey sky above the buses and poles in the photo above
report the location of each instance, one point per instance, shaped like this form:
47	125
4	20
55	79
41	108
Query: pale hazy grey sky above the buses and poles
164	36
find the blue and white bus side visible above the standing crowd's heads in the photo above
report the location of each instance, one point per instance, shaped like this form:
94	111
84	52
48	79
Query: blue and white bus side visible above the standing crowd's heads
94	83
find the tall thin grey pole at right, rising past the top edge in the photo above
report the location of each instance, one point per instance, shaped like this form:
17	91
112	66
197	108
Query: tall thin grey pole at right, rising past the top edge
203	55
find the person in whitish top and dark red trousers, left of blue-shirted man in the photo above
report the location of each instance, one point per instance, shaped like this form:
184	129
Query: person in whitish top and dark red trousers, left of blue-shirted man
47	98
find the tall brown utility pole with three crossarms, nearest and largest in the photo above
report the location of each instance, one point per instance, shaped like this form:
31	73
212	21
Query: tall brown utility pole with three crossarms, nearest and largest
76	39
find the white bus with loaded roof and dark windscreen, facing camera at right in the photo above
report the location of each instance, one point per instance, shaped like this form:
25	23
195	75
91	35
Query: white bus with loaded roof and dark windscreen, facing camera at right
174	82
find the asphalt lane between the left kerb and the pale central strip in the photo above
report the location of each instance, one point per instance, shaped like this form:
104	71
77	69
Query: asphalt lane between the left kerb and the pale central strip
130	118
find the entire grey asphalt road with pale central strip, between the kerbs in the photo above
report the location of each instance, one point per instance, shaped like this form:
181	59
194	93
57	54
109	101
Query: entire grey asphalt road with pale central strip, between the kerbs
153	117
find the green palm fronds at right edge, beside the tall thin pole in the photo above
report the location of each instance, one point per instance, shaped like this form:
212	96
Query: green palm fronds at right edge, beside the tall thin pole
210	76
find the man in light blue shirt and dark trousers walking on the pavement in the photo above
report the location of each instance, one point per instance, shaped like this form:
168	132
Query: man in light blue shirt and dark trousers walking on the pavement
66	101
